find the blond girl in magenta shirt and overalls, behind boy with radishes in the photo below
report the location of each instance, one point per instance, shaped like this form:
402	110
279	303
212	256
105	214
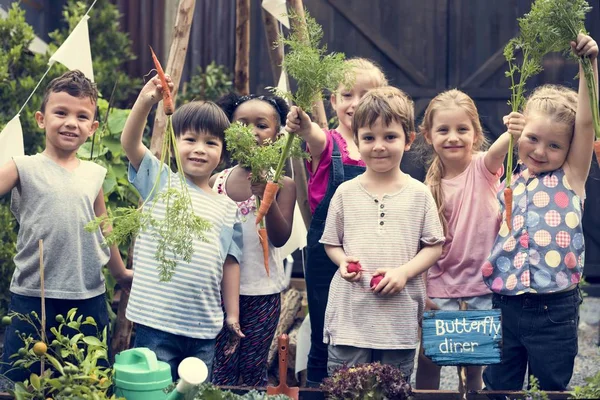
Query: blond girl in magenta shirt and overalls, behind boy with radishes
334	159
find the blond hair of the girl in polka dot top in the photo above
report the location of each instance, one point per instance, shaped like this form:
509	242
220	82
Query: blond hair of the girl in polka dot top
557	102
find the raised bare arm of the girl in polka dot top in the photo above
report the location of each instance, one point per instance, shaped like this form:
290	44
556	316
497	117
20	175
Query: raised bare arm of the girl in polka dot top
580	154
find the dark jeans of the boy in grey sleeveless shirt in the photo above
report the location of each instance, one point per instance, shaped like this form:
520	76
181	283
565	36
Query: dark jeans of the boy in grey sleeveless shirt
95	307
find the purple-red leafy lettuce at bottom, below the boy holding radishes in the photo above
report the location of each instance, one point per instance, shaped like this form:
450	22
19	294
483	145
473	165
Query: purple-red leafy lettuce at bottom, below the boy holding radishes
367	381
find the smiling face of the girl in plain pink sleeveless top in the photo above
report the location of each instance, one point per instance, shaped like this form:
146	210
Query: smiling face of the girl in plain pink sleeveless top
452	135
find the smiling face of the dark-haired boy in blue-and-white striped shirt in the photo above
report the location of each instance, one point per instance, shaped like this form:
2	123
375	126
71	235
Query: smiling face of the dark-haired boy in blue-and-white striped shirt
200	153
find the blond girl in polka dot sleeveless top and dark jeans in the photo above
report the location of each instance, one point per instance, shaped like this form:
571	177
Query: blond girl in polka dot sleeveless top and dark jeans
534	269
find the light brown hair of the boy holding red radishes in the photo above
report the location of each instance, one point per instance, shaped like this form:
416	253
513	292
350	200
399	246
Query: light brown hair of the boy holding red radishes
389	104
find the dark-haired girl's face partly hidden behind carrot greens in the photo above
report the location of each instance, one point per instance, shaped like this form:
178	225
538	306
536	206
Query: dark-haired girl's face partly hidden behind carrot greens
262	116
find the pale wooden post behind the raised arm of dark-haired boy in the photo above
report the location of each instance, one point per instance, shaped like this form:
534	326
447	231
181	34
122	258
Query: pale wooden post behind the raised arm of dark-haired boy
177	53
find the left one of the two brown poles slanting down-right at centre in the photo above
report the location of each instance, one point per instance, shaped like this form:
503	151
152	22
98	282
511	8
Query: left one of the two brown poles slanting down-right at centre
272	33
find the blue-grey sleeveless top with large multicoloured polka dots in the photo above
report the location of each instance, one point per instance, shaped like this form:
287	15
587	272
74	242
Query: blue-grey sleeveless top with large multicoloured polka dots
544	252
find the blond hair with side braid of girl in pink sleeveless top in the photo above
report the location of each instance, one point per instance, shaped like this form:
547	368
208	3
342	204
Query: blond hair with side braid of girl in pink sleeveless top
453	98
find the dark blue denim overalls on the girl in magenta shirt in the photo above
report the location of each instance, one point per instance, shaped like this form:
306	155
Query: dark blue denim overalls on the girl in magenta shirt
320	270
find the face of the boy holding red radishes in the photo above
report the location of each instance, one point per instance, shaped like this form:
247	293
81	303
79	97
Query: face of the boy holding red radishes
382	146
